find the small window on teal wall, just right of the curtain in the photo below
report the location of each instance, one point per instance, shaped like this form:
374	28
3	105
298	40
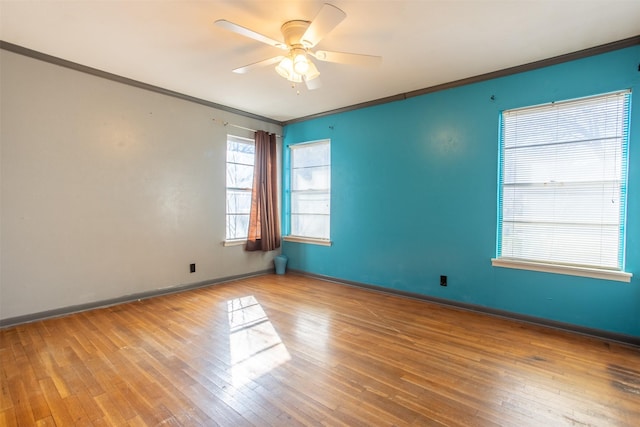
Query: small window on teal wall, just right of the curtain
310	190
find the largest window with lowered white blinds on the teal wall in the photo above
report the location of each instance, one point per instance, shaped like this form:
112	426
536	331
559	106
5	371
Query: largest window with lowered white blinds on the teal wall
563	169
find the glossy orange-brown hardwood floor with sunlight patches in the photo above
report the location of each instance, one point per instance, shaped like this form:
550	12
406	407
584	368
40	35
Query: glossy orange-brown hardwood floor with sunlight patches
291	350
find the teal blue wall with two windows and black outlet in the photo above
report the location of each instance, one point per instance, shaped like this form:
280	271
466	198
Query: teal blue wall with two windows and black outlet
414	186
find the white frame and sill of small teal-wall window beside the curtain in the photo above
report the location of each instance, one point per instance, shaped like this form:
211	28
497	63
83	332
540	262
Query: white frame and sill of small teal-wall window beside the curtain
291	237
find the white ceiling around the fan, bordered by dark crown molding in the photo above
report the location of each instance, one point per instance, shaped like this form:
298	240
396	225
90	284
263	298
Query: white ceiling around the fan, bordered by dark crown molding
174	44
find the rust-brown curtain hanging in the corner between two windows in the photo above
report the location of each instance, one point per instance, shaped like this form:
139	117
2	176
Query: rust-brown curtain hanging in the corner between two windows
264	220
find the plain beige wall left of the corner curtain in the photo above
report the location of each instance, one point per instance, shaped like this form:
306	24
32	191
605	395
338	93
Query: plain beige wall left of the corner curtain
107	190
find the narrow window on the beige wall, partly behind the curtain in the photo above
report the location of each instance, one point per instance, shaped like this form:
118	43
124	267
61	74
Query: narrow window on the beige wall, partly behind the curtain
240	160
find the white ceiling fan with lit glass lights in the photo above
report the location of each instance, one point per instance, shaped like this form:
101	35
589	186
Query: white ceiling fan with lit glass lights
300	37
